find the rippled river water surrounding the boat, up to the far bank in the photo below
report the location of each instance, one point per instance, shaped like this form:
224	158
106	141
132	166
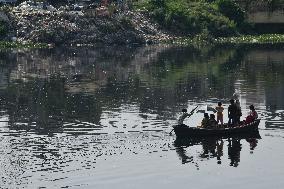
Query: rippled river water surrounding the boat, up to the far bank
100	117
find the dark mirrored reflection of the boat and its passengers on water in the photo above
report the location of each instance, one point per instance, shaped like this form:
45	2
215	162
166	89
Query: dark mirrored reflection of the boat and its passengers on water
213	148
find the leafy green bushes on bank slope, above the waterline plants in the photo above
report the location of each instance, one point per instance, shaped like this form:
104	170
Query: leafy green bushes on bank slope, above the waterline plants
214	17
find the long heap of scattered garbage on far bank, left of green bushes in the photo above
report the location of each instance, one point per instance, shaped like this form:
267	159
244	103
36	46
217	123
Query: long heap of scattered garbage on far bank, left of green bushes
39	22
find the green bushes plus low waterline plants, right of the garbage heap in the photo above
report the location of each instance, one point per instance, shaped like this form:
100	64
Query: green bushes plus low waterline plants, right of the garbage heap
206	21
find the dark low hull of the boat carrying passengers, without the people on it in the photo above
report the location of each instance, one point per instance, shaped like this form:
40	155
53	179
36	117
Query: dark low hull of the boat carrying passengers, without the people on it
184	130
